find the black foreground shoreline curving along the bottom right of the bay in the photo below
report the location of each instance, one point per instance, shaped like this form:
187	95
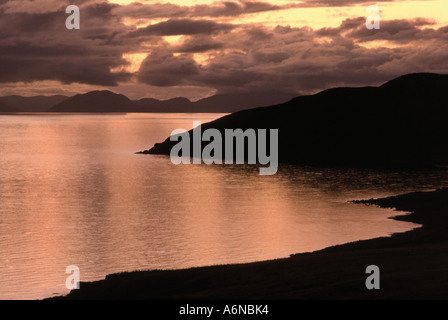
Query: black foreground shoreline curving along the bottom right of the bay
413	265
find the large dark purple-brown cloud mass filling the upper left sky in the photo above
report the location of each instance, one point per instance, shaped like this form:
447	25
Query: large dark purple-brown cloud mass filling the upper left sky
37	46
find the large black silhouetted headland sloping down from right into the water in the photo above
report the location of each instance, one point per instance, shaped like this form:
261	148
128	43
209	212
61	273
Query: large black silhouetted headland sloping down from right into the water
403	122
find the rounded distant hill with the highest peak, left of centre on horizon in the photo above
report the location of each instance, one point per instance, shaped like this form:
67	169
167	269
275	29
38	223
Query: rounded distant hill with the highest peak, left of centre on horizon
95	101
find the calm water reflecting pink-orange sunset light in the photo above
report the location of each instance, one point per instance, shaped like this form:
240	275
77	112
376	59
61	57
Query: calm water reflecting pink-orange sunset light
72	192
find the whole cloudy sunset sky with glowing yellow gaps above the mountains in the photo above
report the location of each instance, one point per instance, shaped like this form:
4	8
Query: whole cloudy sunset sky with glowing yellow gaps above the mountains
194	49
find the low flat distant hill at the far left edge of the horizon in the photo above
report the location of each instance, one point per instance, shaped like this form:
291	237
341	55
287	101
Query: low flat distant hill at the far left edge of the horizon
29	104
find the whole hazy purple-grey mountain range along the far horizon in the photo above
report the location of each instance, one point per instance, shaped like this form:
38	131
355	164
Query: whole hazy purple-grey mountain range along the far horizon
107	101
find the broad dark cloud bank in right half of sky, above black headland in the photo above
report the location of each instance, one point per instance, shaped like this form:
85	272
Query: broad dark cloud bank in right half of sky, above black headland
290	59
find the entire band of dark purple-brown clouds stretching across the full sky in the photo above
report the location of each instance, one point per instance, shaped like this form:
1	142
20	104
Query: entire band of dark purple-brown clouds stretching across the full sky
35	45
